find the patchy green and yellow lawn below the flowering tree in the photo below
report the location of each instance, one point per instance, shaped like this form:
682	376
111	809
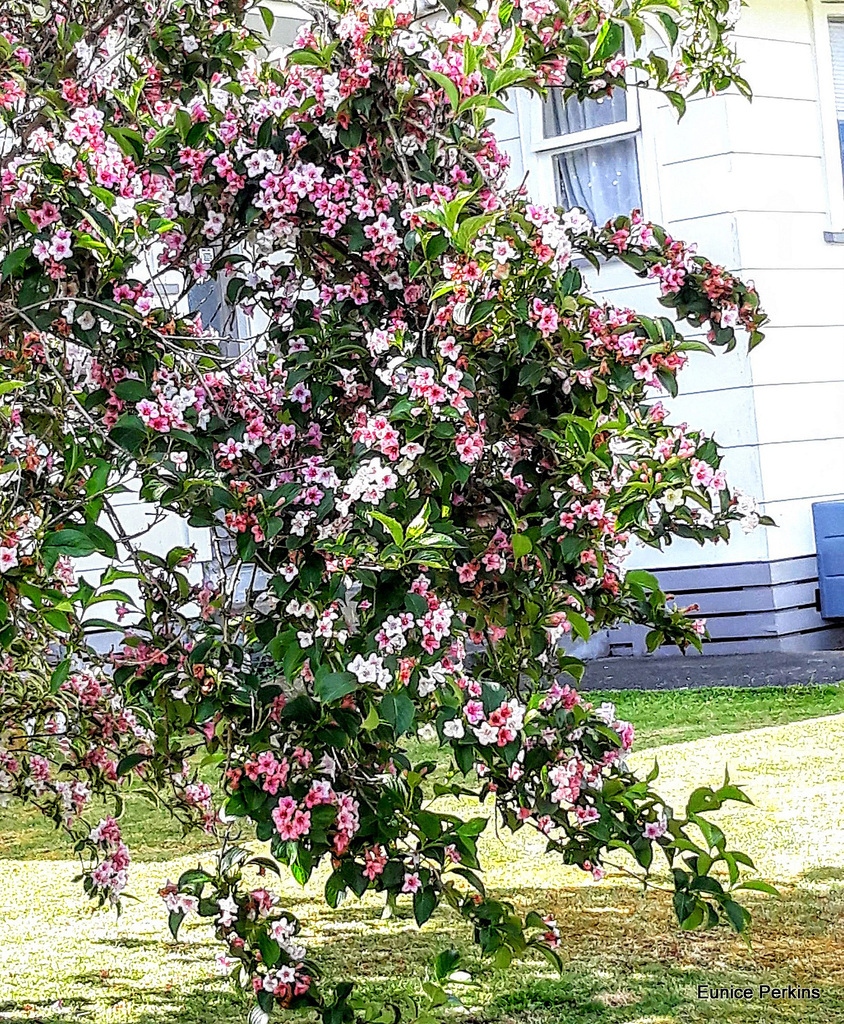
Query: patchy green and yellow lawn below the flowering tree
626	962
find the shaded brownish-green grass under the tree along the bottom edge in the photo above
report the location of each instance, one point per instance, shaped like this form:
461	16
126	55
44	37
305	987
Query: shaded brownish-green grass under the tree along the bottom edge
625	961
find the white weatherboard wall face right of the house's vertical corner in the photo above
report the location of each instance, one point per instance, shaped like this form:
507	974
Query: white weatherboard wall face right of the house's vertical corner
797	374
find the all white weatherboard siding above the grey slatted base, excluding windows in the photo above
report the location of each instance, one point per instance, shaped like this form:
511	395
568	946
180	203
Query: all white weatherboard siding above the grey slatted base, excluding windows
755	186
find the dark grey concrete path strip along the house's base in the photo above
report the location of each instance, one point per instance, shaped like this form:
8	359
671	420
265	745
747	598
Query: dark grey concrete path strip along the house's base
776	669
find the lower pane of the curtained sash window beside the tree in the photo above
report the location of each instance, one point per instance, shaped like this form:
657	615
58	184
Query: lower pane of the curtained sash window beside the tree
604	180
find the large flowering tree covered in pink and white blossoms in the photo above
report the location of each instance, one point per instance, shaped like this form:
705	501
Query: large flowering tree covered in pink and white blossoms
420	472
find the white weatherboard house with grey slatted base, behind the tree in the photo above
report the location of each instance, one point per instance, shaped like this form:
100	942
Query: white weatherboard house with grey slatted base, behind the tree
761	188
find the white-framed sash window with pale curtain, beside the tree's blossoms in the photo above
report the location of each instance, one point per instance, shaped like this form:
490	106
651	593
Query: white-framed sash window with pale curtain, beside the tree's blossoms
593	147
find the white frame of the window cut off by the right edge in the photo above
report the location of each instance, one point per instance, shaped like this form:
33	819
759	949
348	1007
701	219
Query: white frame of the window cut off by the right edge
824	12
